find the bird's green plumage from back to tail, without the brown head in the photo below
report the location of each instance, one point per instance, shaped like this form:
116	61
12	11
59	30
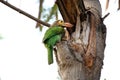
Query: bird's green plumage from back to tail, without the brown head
51	37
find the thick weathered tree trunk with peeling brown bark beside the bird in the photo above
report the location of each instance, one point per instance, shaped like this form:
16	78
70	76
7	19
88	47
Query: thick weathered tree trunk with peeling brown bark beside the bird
81	57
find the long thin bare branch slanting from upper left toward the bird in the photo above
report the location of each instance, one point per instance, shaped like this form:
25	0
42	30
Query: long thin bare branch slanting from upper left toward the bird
24	13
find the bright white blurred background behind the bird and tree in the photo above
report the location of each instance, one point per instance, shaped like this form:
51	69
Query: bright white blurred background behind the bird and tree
22	53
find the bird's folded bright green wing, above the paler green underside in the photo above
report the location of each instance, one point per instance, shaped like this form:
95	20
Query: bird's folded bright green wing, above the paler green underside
52	32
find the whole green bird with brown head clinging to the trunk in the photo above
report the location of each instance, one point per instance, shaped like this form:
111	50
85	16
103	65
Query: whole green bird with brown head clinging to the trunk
53	35
